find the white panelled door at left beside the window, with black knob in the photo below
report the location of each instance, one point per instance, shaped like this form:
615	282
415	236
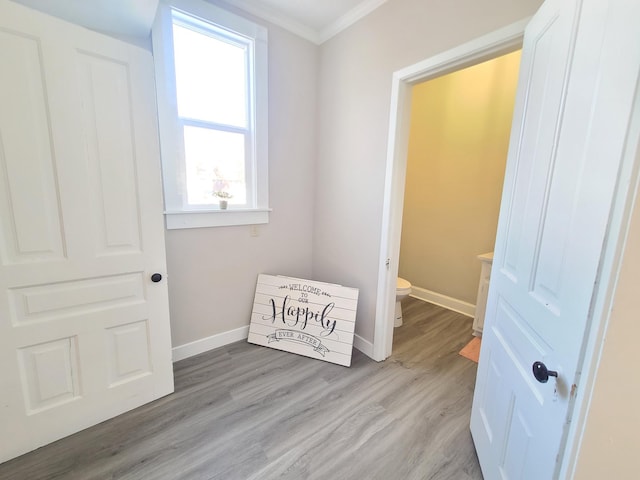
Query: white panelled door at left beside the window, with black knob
84	332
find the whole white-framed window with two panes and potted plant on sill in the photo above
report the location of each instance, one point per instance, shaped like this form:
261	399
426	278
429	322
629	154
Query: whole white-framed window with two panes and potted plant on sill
211	75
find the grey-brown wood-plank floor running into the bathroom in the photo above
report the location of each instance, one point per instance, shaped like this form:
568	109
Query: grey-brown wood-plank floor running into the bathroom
248	412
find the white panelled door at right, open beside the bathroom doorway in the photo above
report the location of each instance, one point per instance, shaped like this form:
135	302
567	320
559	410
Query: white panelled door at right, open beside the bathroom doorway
574	101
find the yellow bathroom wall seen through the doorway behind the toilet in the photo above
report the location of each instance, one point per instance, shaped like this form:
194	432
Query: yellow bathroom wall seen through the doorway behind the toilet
458	144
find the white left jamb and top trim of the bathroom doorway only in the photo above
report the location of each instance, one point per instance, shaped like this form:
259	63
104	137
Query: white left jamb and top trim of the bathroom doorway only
495	44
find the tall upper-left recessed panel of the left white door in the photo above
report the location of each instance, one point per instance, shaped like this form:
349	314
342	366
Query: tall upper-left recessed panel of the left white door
29	205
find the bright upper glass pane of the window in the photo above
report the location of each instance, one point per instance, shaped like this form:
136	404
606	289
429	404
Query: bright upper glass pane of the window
211	78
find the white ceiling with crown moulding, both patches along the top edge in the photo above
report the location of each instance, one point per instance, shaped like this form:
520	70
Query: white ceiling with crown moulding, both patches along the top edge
315	20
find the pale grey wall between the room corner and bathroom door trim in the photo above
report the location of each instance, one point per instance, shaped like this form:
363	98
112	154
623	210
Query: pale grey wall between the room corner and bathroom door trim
353	100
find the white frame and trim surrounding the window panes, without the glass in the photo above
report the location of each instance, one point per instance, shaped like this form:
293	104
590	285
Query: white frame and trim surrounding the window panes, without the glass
178	213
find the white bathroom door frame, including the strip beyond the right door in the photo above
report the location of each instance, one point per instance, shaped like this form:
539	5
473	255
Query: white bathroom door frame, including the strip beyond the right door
494	44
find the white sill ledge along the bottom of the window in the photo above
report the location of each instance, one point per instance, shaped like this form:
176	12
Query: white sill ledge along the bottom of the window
215	218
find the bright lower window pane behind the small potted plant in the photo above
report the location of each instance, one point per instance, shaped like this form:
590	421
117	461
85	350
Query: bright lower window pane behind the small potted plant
214	163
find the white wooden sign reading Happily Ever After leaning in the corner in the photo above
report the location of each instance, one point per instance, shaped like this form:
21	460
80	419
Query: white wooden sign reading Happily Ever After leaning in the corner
313	319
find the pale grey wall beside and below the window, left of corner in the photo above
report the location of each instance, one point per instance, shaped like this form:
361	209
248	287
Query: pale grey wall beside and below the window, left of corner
212	271
